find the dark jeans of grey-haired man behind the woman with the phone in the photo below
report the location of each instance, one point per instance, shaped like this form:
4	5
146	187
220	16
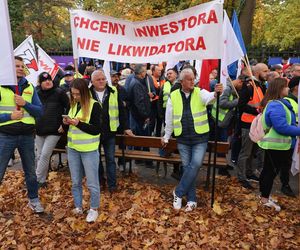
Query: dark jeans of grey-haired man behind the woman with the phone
109	152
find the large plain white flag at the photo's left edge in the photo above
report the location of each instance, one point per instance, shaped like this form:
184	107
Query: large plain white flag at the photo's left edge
7	62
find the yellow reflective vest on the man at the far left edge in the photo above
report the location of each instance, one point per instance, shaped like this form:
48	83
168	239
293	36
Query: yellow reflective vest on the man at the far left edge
8	105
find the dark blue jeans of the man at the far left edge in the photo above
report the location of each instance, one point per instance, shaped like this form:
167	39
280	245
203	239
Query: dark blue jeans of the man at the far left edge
25	146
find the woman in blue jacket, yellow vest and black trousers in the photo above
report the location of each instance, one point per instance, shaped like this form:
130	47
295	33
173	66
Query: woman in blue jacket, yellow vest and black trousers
280	123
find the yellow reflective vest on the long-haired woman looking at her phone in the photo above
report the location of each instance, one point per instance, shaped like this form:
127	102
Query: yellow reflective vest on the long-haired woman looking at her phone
78	139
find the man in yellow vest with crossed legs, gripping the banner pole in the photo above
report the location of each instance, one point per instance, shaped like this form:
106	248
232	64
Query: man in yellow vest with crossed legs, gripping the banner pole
186	116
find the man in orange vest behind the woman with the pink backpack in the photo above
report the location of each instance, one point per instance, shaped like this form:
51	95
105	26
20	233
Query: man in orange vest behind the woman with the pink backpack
251	94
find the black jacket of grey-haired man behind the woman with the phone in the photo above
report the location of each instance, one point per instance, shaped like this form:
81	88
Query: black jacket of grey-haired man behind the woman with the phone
105	127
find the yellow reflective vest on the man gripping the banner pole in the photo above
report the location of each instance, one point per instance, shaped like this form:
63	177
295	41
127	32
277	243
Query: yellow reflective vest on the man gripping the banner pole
198	110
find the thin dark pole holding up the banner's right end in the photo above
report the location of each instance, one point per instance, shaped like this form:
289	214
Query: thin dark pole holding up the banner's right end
216	140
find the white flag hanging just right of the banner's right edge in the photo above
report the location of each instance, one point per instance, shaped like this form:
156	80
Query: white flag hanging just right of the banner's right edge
232	50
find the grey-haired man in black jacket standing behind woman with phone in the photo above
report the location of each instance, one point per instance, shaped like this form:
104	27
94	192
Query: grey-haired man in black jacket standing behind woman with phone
113	115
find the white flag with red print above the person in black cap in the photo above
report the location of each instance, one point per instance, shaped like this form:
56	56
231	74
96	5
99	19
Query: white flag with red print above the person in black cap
46	63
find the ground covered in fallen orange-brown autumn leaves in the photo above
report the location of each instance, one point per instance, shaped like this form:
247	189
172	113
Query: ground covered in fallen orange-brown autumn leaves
140	216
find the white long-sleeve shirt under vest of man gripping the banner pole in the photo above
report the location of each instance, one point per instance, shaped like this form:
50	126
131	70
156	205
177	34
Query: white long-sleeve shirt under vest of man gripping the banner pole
206	97
